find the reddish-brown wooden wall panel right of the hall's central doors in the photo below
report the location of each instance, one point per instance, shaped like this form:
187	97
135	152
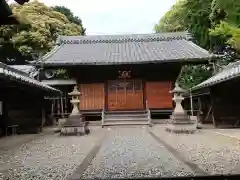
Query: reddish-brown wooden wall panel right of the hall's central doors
158	96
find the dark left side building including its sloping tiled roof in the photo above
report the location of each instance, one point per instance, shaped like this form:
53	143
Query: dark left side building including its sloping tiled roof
23	108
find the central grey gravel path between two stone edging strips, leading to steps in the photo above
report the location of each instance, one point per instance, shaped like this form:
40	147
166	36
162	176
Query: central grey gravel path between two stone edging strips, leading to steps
132	152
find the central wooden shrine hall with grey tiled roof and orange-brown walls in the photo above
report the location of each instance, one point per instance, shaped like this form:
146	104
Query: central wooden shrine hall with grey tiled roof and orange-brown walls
119	74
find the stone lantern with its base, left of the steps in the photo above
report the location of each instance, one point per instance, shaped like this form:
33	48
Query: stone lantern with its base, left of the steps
75	124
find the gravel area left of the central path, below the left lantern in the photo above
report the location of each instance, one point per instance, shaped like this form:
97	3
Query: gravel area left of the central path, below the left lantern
47	158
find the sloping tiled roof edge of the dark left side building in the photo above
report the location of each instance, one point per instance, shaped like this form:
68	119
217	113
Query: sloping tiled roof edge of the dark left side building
7	71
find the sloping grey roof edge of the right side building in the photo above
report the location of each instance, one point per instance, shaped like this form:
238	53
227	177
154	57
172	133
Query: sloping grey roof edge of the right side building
231	71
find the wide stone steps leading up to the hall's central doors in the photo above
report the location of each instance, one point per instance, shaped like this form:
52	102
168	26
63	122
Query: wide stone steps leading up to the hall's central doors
126	118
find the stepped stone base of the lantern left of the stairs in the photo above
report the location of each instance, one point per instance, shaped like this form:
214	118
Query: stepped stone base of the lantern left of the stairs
75	126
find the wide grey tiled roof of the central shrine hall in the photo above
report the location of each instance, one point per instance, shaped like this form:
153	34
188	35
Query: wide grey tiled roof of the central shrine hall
124	49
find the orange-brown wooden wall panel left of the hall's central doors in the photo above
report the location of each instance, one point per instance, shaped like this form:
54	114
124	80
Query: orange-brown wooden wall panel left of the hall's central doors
92	97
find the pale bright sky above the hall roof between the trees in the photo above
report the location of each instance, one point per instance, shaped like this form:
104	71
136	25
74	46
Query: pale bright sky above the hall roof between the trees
116	16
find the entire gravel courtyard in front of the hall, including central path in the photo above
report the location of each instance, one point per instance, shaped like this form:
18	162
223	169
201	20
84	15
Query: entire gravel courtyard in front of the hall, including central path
119	153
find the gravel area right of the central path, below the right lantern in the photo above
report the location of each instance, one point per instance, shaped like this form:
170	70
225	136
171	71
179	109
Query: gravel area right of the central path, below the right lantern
213	153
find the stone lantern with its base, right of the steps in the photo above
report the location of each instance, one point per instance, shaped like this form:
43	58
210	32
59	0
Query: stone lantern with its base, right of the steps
180	122
